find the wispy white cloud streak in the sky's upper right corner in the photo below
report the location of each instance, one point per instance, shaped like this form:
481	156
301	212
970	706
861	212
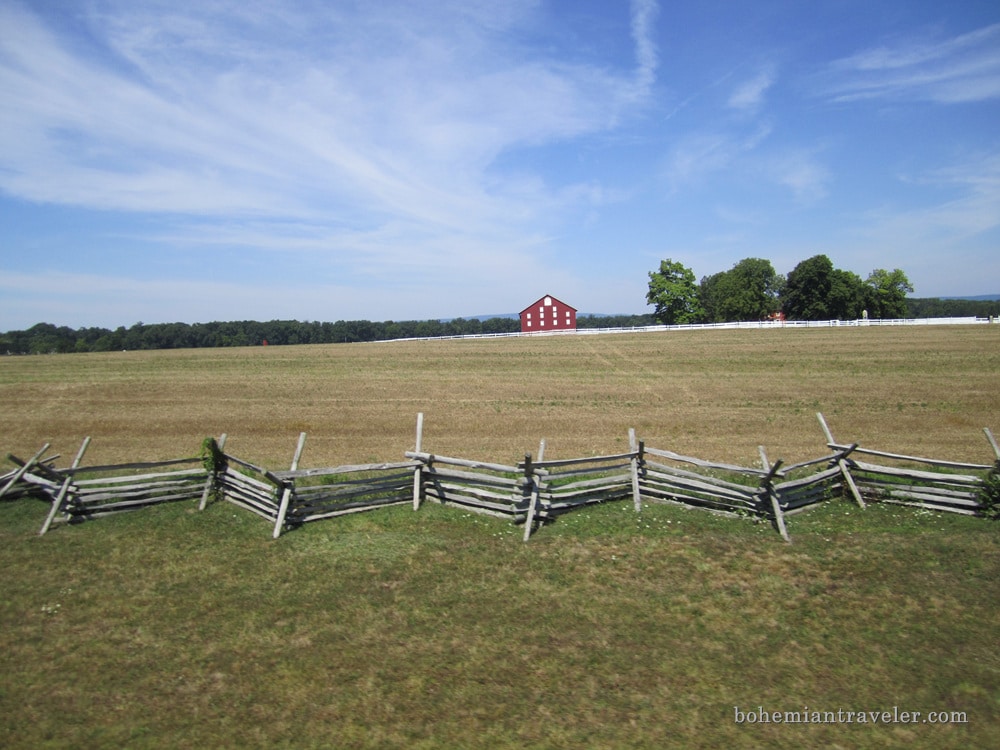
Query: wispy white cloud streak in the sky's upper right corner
962	68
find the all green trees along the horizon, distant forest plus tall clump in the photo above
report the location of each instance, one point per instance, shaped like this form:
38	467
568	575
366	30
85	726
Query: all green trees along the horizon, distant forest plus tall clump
750	290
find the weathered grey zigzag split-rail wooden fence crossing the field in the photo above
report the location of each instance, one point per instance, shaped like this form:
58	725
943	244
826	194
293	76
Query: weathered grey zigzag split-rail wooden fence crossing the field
532	492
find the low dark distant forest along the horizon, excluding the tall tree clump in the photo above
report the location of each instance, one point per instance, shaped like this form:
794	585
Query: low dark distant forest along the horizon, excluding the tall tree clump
45	338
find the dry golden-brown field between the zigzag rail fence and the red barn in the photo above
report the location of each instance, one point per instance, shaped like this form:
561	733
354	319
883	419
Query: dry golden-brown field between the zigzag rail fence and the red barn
713	394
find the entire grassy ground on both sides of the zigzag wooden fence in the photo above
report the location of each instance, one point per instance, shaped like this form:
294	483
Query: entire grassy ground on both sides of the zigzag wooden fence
174	628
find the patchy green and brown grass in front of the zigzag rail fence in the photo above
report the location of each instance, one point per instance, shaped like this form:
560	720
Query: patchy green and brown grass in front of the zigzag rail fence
611	629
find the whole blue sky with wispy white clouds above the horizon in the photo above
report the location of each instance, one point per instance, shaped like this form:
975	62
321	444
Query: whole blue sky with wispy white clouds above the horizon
168	161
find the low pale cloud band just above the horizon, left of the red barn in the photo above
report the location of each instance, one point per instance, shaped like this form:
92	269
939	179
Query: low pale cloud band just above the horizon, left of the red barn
390	280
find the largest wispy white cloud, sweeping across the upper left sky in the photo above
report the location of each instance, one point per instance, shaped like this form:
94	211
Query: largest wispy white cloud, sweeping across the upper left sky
316	113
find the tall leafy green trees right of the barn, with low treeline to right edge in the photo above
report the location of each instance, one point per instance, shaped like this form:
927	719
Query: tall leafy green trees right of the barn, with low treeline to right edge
813	290
